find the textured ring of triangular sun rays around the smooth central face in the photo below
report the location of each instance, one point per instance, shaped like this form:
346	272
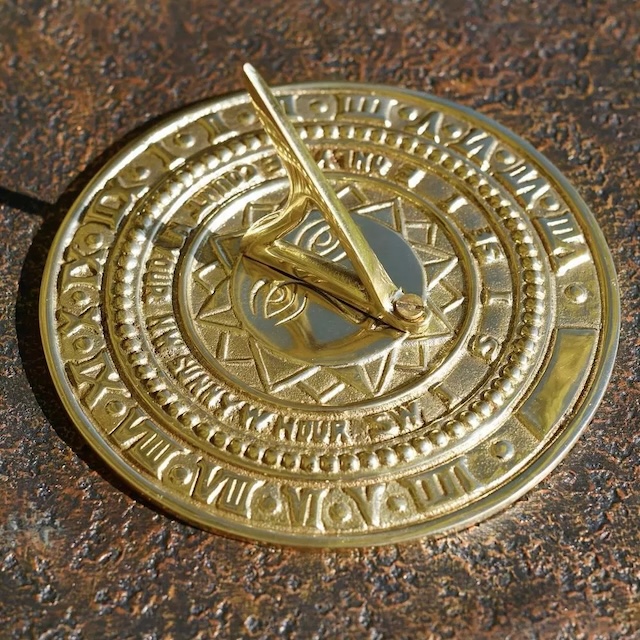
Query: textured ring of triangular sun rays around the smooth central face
253	363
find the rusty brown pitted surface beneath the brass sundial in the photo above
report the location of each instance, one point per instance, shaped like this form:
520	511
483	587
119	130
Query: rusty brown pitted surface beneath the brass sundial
80	556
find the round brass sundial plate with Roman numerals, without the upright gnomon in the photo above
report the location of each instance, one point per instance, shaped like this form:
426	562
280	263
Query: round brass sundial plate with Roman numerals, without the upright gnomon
249	403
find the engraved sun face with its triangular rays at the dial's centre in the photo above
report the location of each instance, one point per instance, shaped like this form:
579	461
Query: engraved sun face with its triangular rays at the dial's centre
291	341
